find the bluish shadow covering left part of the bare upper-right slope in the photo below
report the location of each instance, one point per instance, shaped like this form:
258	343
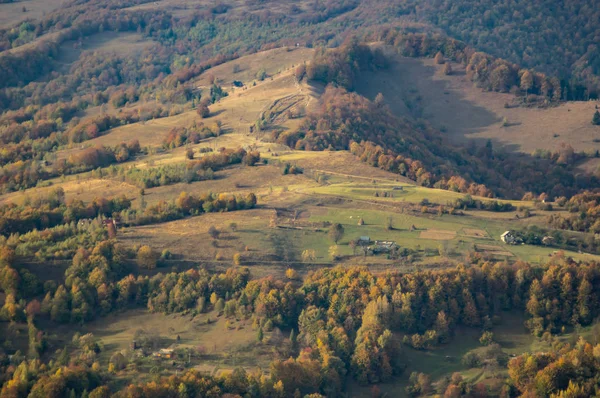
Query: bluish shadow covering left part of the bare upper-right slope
410	90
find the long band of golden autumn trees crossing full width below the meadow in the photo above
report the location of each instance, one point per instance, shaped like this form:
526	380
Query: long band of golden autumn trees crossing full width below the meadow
347	320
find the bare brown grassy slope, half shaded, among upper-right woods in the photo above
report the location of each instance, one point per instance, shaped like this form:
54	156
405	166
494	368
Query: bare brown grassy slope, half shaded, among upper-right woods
418	88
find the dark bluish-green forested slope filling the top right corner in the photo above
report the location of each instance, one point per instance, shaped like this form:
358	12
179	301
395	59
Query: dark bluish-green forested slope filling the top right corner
553	36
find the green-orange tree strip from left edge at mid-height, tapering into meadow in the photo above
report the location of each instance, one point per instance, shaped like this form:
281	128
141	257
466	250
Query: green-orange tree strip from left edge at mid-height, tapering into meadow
50	227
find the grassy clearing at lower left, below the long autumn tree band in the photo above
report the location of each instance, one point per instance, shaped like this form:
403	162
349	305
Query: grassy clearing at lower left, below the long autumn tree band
210	343
